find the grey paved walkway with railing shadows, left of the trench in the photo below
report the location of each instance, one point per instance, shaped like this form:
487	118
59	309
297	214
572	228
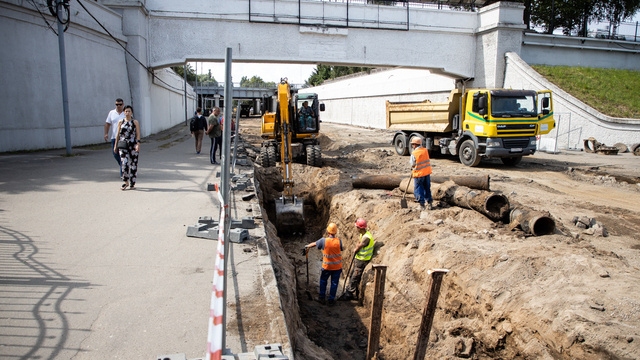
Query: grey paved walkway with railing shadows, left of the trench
92	272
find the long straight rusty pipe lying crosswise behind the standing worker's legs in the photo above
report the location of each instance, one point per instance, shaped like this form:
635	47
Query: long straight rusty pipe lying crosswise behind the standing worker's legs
390	182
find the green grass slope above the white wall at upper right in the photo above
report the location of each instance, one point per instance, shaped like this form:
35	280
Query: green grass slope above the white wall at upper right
613	92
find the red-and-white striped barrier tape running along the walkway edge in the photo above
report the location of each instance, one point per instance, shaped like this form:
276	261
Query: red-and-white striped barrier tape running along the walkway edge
214	338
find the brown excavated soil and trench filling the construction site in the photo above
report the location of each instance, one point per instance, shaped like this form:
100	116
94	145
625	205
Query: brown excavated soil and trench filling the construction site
508	295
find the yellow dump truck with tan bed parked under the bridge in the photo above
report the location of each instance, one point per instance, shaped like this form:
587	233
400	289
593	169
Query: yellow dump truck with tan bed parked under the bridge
475	124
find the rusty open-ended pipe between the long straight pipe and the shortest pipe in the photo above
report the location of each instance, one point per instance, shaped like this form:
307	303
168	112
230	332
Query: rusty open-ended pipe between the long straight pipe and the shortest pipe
492	205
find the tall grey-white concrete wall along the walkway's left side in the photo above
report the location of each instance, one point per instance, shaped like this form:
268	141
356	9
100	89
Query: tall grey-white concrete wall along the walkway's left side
96	75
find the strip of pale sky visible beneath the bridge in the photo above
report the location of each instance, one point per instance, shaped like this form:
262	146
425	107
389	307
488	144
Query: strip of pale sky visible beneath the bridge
296	73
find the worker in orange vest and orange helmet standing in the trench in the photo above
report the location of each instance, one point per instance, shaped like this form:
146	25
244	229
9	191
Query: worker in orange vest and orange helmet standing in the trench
331	248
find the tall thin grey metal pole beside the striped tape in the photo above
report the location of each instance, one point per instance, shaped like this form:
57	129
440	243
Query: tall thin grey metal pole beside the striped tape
224	171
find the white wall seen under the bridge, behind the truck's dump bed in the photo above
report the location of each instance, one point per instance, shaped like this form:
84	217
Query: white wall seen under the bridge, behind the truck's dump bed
360	100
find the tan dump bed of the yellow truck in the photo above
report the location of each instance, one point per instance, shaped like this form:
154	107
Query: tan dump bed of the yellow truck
424	116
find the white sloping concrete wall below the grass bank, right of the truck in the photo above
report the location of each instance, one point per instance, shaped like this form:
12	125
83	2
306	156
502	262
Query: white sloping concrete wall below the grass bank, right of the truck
575	121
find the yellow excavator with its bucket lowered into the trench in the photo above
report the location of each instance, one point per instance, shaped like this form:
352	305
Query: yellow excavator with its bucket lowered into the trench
288	134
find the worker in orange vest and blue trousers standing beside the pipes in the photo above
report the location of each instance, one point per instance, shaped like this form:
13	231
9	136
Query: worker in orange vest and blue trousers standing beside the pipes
421	166
